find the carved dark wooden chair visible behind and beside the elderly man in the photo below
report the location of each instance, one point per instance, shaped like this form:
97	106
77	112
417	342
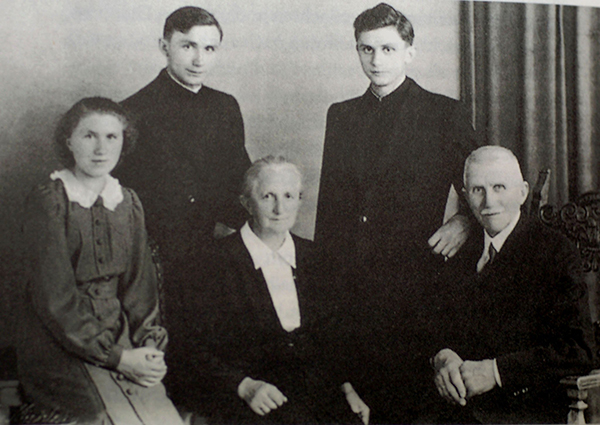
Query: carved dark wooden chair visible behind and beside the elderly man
580	222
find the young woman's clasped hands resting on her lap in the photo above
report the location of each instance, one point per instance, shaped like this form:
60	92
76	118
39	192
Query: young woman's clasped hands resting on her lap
145	366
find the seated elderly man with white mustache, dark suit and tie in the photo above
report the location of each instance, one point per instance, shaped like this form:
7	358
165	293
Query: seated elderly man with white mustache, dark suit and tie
515	318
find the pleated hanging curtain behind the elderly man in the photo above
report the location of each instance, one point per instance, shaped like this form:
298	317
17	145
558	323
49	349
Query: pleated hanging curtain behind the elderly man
530	73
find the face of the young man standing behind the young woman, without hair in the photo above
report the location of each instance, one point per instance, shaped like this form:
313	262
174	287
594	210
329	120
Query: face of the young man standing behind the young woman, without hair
191	56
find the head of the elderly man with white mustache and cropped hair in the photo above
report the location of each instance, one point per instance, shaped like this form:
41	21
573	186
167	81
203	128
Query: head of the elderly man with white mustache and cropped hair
494	187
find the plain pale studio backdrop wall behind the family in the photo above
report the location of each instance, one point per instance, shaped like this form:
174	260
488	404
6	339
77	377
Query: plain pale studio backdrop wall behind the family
284	61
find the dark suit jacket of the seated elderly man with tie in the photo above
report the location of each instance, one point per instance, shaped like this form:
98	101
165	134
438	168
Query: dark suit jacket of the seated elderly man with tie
529	310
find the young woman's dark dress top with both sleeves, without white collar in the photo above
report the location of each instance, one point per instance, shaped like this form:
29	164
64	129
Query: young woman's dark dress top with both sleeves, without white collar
90	271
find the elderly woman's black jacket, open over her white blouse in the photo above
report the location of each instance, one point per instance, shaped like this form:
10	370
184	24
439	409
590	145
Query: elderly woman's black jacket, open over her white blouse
236	327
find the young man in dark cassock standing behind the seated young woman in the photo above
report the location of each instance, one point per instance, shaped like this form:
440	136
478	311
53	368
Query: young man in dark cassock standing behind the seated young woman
190	158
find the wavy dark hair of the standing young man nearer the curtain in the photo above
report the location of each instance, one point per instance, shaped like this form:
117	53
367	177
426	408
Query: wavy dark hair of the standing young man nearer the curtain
384	15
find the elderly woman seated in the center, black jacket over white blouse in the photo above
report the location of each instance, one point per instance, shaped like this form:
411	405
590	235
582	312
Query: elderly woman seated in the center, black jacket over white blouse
265	320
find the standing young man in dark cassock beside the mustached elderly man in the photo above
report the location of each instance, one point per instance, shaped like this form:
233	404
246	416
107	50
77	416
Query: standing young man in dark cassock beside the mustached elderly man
390	159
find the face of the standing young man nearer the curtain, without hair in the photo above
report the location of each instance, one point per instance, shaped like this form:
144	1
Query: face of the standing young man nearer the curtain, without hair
383	56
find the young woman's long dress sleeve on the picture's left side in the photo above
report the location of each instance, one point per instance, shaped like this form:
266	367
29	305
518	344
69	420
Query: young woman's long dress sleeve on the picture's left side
67	312
